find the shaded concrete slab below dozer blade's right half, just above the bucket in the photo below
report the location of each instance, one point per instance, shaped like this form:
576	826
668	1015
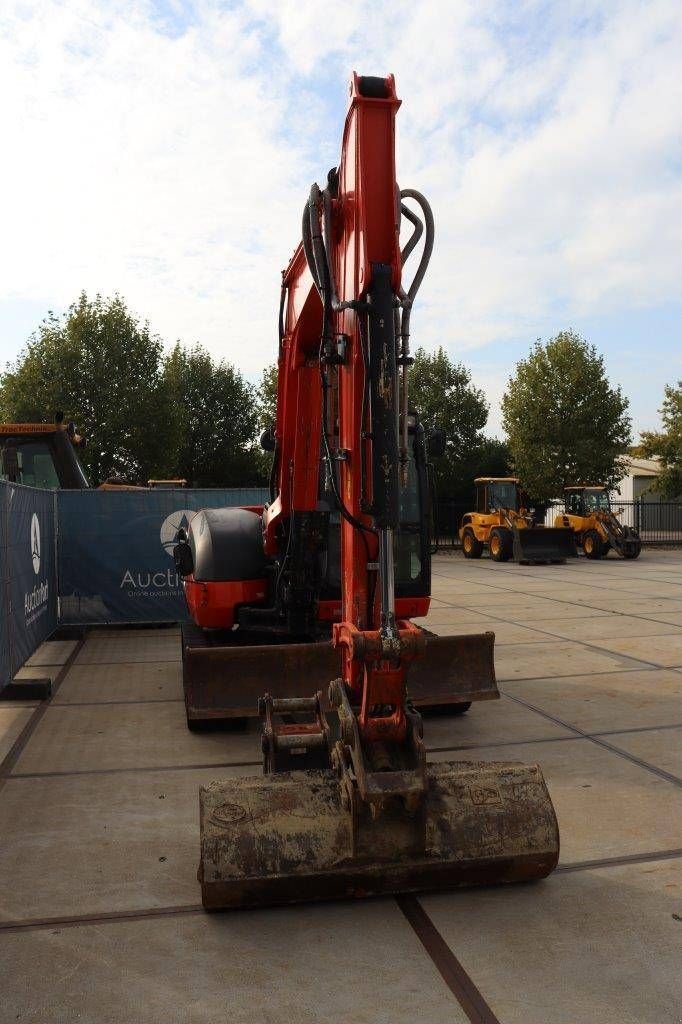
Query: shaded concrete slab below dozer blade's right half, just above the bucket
487	722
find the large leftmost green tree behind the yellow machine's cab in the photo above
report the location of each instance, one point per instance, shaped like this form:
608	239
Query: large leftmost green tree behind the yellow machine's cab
102	367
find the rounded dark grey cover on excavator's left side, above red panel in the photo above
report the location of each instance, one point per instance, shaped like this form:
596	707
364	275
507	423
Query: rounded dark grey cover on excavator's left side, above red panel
227	545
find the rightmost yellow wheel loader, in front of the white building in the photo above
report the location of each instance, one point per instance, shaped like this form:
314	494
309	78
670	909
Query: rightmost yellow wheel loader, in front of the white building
596	527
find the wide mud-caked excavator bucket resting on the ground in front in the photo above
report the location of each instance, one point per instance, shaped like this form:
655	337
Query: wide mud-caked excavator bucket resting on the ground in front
287	838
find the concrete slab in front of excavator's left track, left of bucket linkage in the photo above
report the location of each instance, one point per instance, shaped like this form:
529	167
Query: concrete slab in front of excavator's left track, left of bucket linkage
127	736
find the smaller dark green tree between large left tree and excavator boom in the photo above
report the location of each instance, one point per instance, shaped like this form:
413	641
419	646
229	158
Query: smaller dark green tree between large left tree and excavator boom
215	420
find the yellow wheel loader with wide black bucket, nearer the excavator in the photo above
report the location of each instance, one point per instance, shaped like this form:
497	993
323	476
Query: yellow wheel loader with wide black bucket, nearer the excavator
508	531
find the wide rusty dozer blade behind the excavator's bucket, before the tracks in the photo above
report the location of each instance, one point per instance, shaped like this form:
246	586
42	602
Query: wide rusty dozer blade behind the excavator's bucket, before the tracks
225	682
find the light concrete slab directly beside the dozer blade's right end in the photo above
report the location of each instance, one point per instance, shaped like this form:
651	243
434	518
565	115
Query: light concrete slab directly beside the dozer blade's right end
555	658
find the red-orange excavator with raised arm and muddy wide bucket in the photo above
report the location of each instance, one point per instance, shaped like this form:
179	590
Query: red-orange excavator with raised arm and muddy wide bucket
348	805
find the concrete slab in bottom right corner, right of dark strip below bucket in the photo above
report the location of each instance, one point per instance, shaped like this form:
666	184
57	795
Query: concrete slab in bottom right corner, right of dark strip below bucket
601	946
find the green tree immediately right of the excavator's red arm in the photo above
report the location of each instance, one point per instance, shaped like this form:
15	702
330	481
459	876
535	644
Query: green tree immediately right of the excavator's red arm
442	393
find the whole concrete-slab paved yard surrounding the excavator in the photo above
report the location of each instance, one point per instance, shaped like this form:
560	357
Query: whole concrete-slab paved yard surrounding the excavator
99	901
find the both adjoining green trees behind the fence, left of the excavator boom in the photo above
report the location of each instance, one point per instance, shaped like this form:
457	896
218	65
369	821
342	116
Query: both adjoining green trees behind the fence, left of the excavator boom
144	415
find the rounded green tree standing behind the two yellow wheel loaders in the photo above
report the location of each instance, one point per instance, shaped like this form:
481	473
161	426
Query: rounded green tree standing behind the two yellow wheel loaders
566	423
